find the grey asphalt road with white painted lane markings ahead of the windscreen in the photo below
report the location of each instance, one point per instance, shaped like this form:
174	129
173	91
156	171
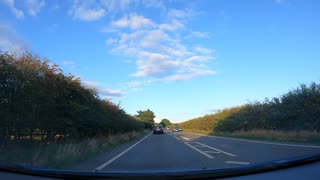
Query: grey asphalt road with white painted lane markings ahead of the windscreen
174	151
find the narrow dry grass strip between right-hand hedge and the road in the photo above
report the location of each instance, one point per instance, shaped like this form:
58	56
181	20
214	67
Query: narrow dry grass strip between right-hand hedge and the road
304	137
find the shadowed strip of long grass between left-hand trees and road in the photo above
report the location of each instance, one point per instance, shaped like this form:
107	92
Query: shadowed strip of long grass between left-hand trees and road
62	155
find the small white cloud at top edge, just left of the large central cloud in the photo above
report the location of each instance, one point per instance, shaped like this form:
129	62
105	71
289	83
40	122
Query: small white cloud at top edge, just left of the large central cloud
86	10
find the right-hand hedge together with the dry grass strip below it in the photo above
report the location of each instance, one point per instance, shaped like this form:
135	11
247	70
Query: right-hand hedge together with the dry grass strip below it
292	117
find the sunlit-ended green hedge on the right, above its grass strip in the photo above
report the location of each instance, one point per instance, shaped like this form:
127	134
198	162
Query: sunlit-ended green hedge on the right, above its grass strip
297	110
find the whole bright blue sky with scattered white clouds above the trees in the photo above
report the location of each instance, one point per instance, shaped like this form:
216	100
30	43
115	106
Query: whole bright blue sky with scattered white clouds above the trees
180	59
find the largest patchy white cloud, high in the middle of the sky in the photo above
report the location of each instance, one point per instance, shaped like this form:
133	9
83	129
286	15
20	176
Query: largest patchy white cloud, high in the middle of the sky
158	47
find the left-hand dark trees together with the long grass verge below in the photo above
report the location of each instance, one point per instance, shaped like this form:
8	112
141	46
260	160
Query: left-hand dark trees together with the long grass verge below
48	118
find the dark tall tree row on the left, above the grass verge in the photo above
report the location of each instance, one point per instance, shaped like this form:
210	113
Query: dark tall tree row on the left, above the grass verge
39	102
